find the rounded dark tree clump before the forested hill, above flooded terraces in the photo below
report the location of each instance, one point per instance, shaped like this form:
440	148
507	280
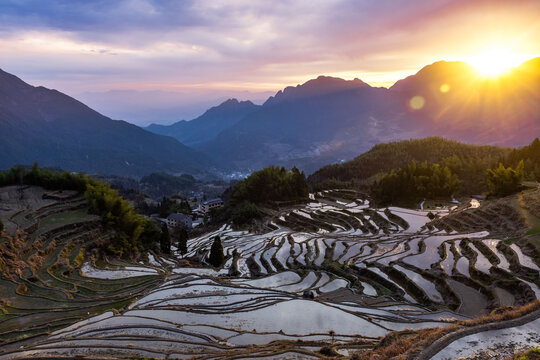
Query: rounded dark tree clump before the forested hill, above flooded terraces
415	181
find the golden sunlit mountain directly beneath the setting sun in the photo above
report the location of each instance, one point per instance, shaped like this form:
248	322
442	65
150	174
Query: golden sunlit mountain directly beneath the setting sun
460	104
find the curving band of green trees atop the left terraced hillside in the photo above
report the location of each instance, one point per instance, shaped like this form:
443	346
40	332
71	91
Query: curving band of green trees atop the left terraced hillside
130	231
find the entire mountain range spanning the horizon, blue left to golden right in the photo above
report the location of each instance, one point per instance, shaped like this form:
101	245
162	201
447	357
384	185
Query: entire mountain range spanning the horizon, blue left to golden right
325	120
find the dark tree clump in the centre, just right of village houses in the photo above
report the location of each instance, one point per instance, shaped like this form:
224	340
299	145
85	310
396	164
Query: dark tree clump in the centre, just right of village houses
266	186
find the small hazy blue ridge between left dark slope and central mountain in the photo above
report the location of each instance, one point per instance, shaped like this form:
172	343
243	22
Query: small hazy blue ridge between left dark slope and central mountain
208	125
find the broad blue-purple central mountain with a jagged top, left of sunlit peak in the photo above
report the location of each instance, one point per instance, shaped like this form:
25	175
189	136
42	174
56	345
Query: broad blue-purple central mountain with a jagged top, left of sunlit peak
322	121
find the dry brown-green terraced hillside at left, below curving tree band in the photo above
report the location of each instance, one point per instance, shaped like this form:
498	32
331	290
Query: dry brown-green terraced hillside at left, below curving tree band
41	286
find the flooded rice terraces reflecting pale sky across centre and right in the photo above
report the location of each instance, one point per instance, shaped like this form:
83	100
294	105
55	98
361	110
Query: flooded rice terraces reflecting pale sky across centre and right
332	271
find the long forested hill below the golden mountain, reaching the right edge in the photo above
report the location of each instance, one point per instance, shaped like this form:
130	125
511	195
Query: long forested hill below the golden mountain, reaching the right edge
487	170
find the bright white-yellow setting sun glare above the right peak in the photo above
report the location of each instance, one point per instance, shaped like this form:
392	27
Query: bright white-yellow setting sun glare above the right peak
495	62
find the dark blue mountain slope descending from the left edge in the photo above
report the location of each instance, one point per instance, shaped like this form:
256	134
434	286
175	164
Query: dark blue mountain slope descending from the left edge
38	124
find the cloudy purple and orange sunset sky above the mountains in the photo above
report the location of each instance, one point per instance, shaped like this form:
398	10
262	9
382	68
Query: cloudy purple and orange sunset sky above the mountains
165	60
